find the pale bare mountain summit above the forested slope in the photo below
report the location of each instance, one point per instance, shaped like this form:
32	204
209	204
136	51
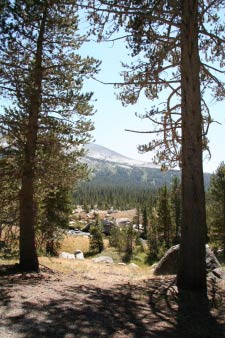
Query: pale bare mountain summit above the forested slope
102	153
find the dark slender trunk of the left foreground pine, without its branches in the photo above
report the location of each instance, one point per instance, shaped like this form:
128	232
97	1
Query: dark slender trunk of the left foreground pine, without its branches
28	254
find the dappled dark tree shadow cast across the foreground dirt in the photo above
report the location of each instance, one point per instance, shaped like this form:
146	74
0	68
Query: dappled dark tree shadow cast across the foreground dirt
151	309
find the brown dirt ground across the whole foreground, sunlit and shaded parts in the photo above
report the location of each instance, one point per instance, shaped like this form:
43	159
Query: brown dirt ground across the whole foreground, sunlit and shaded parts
111	303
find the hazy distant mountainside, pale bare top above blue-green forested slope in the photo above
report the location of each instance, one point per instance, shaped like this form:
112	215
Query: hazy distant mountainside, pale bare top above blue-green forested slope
113	169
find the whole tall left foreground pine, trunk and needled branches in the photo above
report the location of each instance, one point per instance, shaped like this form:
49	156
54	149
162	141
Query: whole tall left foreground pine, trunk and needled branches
43	77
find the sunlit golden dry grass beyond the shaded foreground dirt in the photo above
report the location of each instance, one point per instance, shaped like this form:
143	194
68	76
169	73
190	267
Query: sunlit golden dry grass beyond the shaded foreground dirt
87	268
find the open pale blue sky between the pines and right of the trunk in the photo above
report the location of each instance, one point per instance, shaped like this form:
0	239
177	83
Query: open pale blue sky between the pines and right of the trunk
111	118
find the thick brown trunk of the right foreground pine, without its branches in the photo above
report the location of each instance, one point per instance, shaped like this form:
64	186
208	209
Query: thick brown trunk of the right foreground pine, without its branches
192	266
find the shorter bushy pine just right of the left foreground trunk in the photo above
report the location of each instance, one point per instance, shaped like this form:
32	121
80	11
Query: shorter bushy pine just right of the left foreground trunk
53	190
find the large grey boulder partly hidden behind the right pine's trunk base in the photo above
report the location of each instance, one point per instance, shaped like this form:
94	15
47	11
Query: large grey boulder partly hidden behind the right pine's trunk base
169	262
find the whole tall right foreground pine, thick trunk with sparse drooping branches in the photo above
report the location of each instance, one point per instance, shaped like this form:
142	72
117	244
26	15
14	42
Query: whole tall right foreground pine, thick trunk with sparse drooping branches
175	51
